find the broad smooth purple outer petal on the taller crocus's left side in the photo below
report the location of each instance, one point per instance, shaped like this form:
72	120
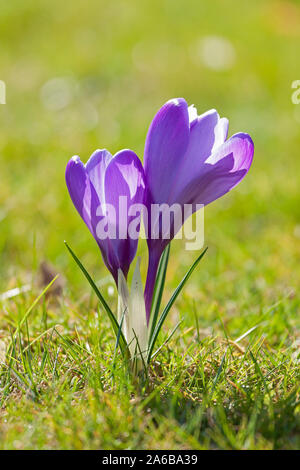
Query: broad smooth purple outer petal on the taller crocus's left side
166	143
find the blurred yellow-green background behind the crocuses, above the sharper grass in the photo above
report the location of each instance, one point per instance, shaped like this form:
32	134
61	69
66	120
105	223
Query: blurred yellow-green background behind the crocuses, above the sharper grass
91	74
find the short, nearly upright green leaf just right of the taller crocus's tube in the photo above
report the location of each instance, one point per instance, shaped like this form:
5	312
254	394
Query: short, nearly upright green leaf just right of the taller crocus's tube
159	288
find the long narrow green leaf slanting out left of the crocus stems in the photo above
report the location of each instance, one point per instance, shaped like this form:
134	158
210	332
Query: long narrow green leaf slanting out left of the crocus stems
112	318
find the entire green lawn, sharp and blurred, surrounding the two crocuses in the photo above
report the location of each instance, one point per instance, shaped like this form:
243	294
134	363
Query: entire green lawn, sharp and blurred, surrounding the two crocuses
229	376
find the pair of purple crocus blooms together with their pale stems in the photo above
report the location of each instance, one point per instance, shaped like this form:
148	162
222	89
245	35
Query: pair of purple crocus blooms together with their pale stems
188	160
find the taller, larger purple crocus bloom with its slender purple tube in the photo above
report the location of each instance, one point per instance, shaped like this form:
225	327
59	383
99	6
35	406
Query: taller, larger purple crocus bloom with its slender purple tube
188	160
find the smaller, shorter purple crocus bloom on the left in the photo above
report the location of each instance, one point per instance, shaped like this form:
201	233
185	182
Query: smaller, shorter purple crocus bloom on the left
100	183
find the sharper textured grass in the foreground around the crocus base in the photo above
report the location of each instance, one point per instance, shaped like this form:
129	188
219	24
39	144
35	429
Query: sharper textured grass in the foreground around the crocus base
59	390
